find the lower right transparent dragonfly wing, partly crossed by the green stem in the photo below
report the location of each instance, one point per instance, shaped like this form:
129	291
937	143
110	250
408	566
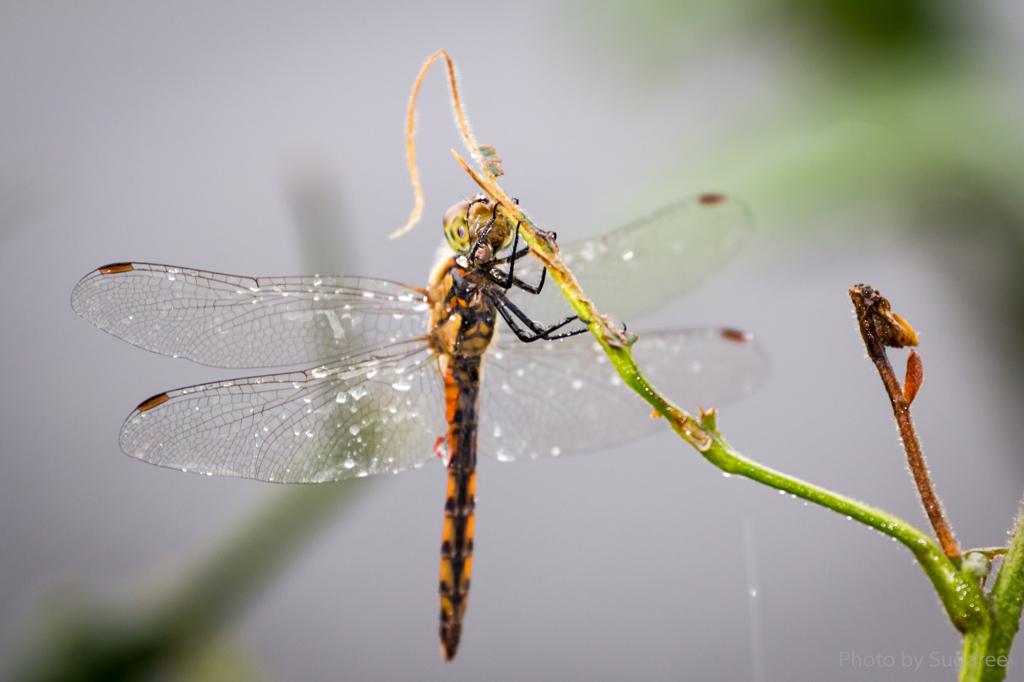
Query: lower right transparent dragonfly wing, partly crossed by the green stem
563	398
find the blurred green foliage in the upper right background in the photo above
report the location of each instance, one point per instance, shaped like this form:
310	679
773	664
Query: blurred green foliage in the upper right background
883	115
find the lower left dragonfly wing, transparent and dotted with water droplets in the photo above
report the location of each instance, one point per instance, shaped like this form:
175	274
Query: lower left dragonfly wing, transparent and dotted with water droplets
381	413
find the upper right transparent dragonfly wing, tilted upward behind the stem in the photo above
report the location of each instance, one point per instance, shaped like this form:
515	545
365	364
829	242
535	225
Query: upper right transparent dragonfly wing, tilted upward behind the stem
638	269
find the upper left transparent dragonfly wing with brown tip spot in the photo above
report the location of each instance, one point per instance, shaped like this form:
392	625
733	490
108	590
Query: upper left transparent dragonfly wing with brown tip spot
236	322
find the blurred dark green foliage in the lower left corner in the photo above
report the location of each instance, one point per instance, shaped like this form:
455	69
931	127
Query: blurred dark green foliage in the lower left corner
180	636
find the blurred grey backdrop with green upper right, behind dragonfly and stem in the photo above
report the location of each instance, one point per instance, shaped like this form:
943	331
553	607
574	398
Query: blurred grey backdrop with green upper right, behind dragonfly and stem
253	140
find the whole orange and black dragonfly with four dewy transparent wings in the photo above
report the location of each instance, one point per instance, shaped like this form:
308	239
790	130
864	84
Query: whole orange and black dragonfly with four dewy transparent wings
390	376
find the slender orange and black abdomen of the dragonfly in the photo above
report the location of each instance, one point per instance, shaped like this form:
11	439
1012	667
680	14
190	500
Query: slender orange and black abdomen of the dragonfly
462	391
